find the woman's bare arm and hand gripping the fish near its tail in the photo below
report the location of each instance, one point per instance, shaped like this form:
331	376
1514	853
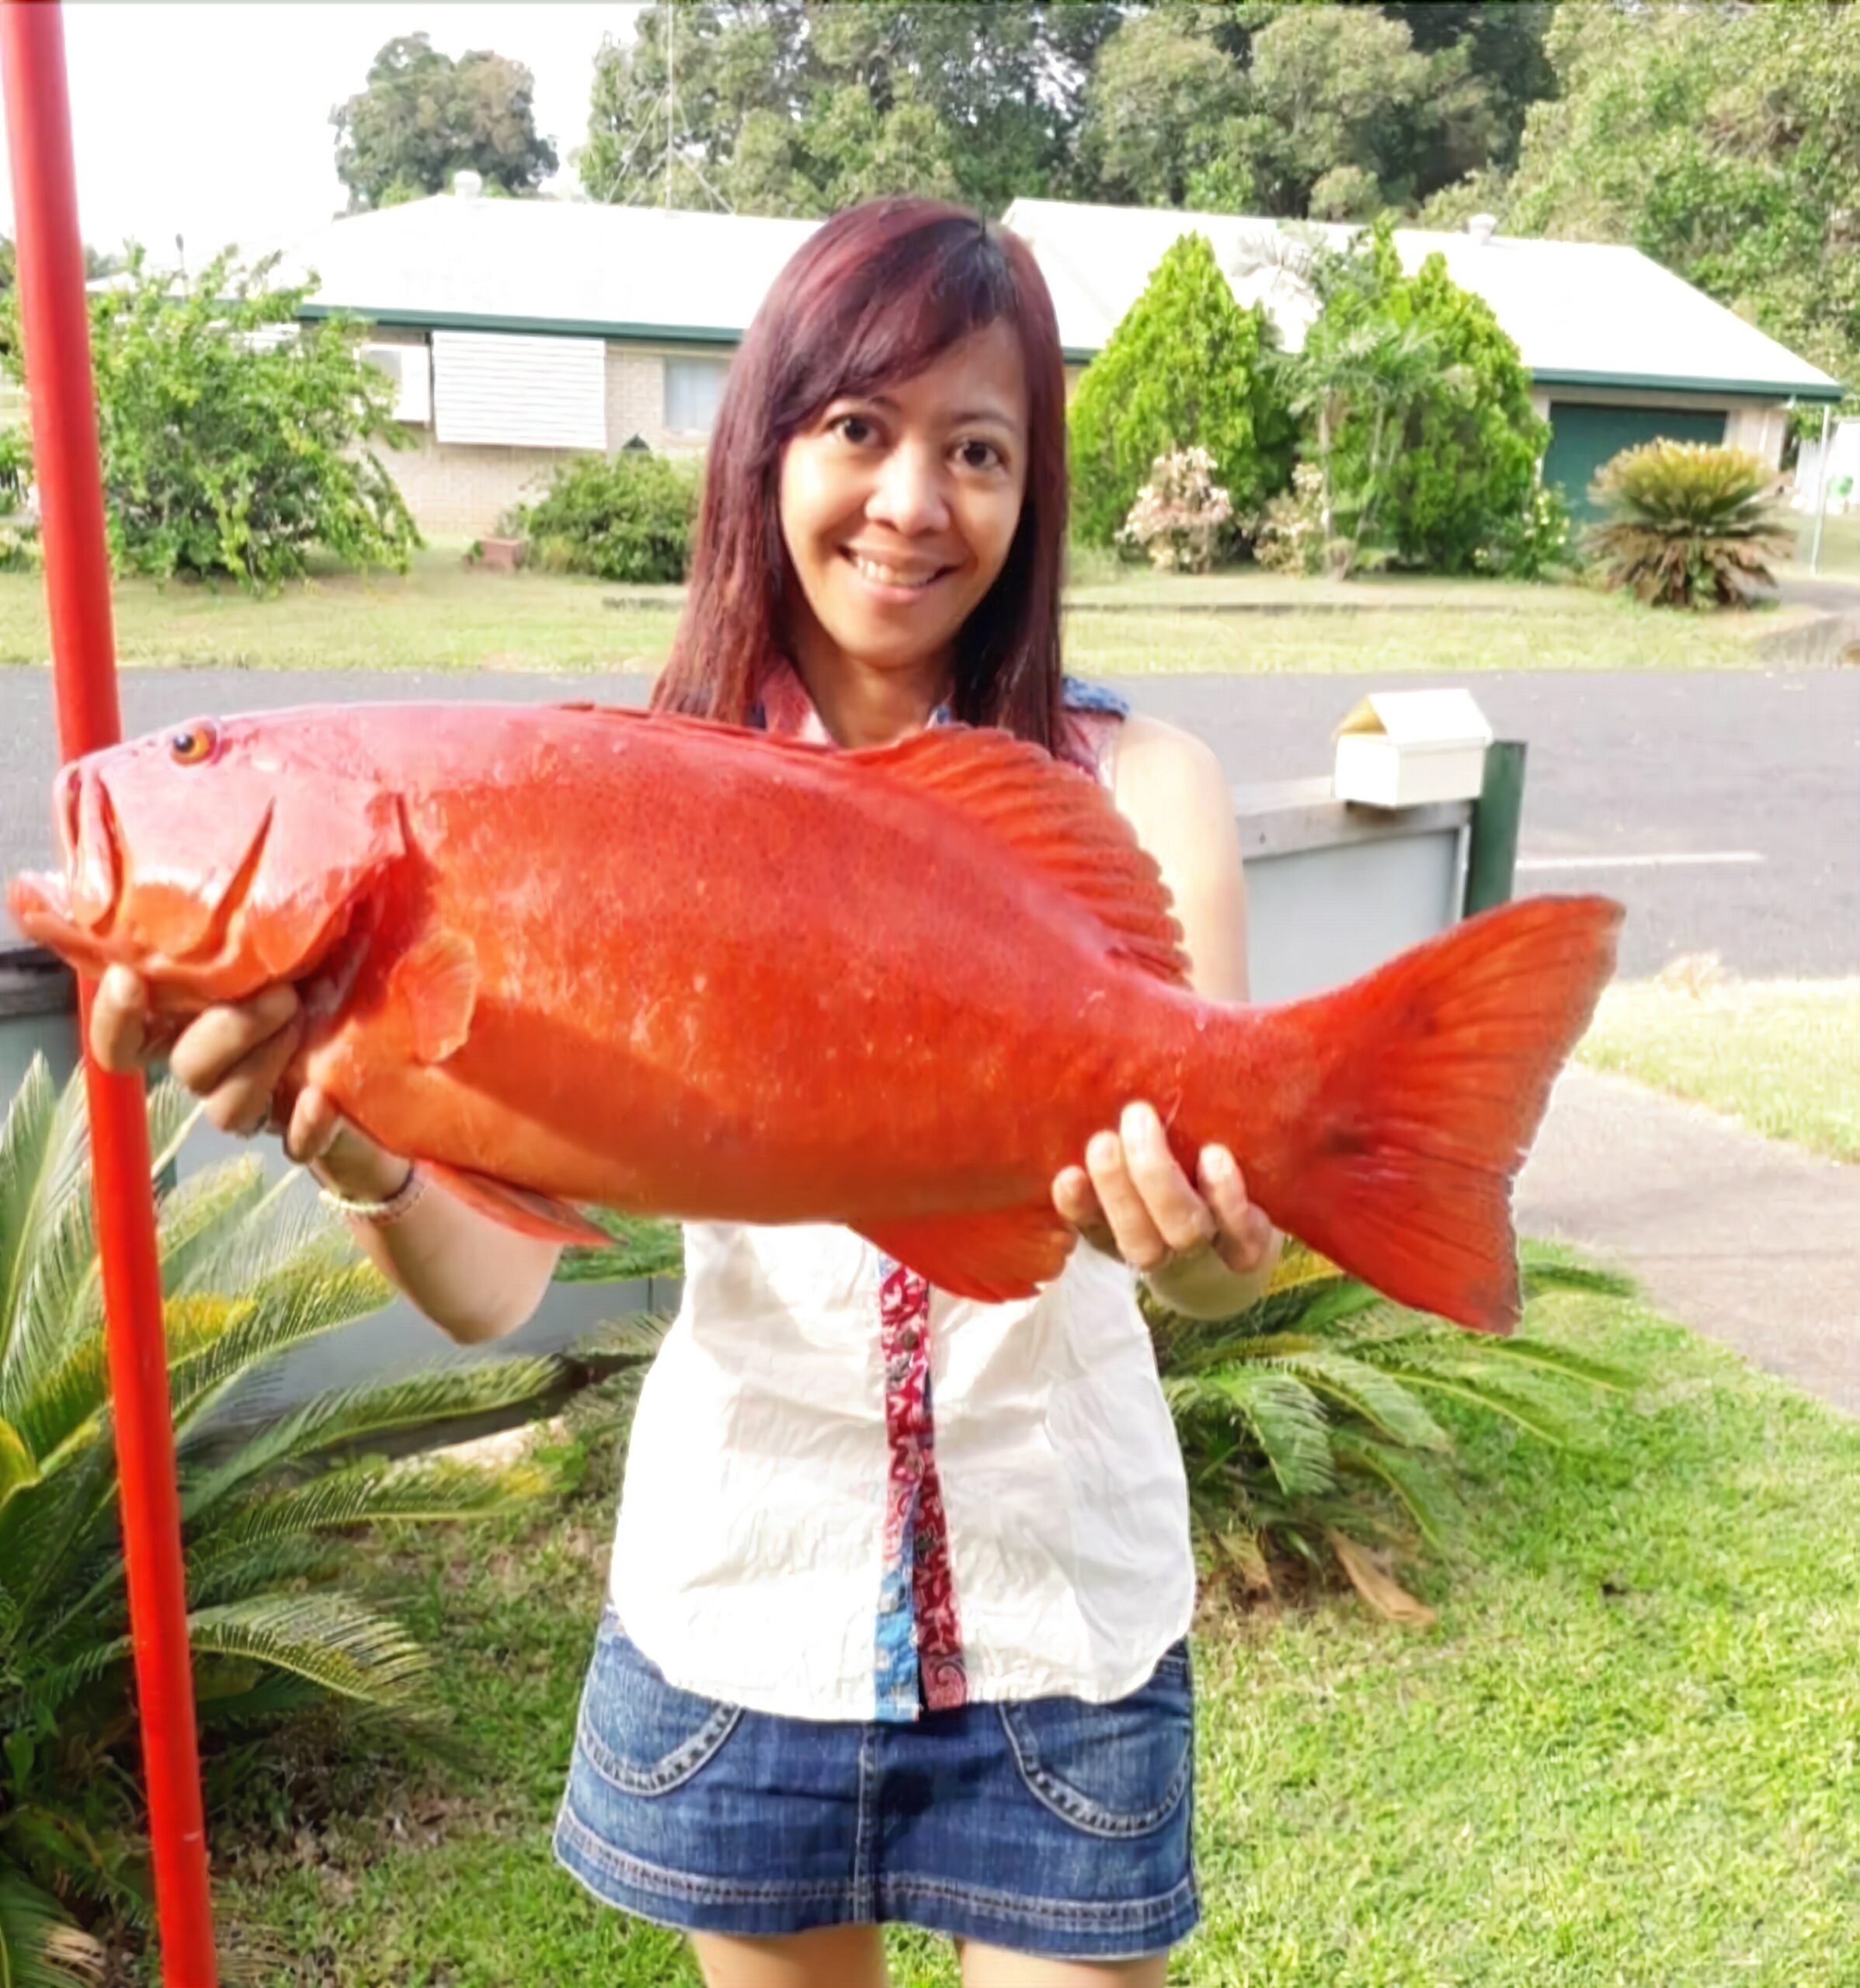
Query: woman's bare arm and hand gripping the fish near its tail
1201	1245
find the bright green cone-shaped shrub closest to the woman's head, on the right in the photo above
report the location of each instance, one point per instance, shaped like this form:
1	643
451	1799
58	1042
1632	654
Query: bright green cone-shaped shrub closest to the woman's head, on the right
1185	369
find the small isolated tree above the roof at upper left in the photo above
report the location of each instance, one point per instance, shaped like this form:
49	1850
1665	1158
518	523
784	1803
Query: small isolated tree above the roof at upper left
424	118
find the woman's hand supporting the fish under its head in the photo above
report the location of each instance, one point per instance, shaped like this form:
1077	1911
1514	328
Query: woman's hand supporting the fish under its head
233	1059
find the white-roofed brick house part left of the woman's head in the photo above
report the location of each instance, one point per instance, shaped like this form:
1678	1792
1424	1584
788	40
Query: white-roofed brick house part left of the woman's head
524	333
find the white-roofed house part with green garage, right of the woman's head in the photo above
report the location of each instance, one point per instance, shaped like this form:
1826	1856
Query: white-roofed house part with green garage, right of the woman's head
1621	351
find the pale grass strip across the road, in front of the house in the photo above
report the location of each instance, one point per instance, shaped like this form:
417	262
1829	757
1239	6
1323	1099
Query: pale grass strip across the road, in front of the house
1126	623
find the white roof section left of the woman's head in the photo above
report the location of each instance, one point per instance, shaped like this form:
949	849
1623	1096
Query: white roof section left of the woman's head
569	267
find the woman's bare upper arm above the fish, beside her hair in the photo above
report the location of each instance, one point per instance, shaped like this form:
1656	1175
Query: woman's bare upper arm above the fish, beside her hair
1175	794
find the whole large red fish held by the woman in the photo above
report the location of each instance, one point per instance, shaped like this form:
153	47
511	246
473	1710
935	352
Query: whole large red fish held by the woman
597	957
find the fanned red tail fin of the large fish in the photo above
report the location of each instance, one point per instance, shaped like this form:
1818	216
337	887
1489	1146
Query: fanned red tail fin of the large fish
1420	1090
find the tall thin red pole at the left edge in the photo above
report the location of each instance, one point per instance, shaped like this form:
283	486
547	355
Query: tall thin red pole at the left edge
65	434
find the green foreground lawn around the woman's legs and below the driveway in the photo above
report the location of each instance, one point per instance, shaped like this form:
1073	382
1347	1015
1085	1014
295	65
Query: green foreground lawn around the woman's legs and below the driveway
1627	1752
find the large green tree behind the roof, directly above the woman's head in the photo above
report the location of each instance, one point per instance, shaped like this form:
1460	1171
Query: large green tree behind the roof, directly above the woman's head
794	110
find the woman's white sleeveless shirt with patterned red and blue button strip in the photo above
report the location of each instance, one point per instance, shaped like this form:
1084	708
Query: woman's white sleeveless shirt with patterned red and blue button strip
852	1496
